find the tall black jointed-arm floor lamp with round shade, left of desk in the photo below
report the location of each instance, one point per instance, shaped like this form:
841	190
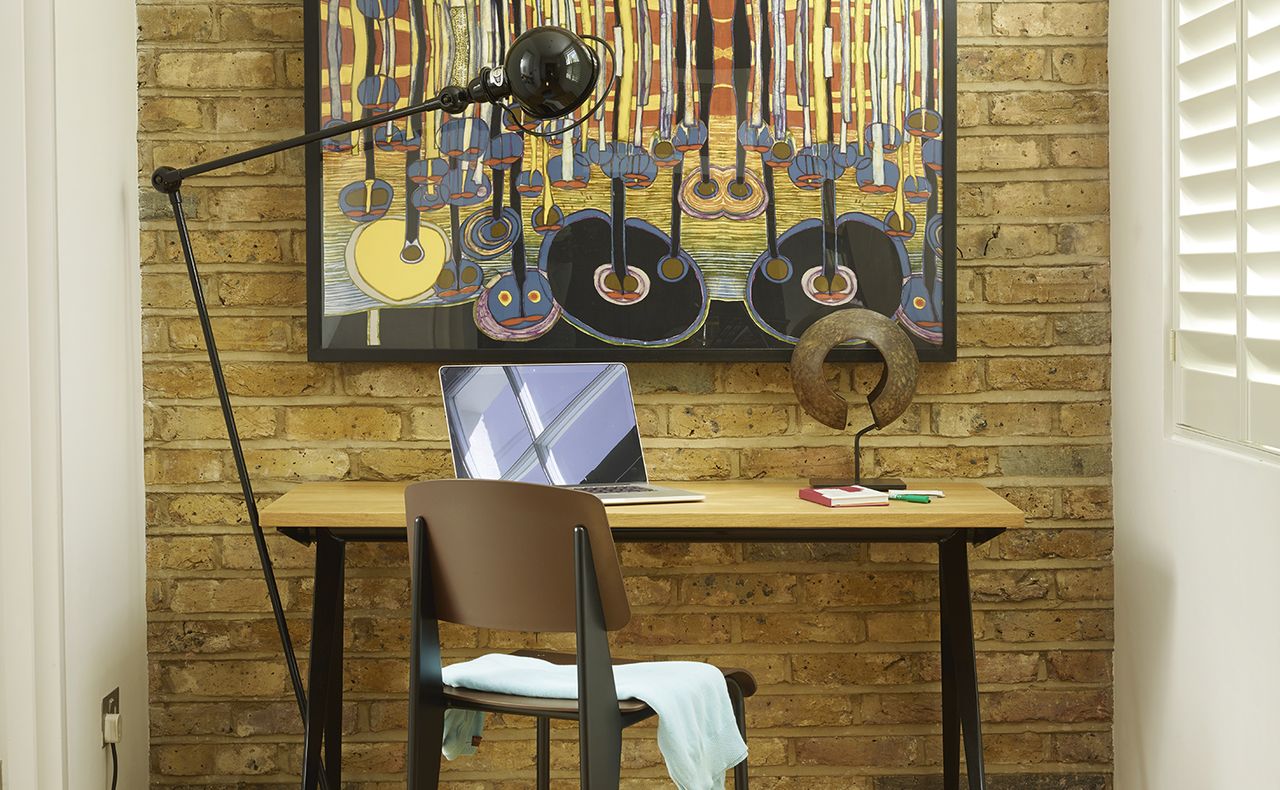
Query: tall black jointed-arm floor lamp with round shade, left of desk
548	72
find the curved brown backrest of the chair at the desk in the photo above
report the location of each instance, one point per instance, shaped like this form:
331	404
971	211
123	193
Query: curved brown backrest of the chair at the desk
502	554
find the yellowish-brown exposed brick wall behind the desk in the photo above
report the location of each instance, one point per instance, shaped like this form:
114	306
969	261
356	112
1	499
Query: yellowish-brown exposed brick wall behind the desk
1026	409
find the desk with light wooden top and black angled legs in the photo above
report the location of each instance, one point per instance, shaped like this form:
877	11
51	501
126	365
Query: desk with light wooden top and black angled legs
761	512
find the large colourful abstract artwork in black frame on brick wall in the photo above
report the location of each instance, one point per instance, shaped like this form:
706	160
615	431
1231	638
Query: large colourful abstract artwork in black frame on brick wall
760	165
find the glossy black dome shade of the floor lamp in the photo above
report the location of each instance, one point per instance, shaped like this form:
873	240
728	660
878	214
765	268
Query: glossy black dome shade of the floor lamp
551	72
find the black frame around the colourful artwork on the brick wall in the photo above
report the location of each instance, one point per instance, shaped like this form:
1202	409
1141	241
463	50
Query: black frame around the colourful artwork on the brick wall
516	353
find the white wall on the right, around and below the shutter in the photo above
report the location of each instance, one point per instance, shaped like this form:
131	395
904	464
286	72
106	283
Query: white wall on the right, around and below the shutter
1197	529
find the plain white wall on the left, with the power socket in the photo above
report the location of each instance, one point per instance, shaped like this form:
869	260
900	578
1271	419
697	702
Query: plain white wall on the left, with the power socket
72	518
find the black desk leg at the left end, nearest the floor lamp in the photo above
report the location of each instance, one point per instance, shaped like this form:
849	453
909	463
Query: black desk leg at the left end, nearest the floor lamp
324	682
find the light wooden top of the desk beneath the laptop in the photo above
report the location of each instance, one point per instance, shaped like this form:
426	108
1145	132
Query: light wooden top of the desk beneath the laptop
730	504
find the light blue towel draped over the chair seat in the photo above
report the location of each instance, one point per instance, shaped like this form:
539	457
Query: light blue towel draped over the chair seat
697	733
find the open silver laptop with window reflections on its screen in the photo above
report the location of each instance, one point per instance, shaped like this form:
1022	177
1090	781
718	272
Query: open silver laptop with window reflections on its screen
572	426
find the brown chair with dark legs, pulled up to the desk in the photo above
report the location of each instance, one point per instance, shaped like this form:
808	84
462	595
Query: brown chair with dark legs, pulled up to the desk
511	556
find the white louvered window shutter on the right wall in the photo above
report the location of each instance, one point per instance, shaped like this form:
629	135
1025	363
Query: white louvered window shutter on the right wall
1227	375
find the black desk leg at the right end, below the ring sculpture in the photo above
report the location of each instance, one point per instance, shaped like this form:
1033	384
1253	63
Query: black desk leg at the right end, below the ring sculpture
959	668
